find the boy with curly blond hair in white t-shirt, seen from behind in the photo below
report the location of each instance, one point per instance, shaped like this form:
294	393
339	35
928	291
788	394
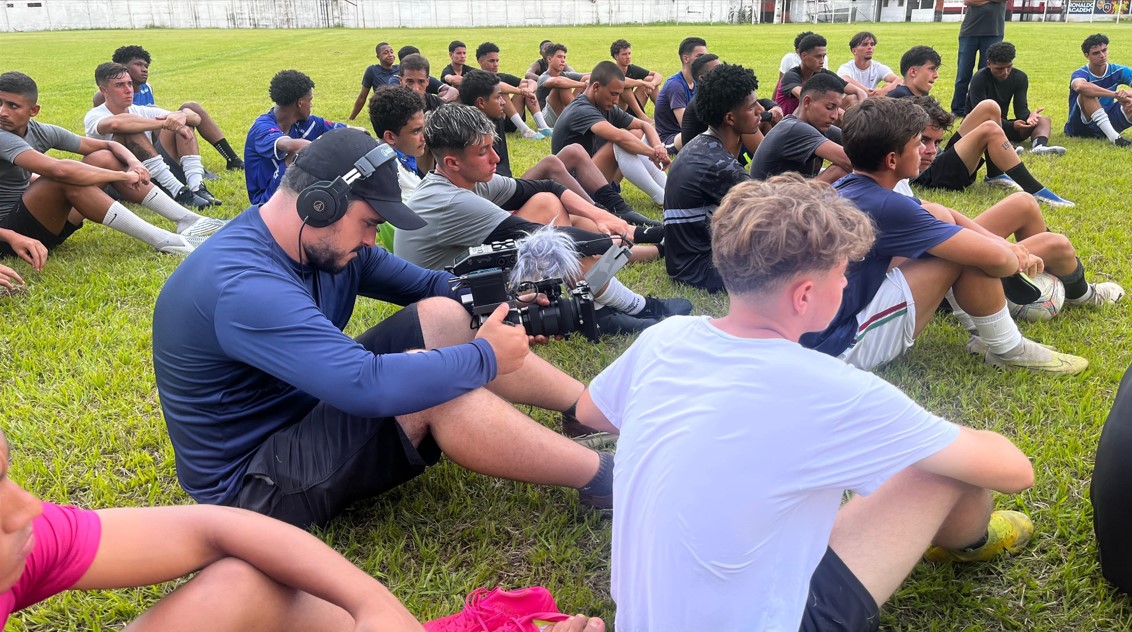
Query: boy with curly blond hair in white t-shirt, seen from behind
783	552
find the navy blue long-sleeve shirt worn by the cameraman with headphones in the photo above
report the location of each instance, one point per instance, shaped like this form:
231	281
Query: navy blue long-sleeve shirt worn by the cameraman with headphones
246	343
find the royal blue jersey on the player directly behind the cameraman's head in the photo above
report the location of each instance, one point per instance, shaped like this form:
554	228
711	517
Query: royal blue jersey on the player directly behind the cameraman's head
263	164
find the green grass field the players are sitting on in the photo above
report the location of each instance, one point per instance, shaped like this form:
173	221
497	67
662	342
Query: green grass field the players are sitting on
79	403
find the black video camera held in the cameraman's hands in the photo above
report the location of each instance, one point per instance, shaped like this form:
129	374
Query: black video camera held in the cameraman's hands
484	271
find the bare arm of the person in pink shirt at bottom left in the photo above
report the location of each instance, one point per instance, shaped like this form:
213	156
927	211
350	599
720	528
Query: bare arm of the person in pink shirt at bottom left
145	546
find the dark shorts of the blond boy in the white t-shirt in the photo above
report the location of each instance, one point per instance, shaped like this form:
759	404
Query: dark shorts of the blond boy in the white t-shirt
838	602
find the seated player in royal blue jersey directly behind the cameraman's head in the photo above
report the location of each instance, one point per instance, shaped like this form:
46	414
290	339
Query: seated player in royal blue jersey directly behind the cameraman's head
269	149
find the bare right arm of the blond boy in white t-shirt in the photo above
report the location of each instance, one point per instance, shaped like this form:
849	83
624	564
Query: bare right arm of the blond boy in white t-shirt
983	459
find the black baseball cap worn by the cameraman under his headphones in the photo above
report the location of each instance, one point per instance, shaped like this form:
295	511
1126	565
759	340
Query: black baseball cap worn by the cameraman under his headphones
341	151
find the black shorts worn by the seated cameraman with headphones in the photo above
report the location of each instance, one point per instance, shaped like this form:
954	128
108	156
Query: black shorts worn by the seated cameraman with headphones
310	473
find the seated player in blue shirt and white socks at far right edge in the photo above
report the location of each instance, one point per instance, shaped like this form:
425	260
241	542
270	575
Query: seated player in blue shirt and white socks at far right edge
1099	107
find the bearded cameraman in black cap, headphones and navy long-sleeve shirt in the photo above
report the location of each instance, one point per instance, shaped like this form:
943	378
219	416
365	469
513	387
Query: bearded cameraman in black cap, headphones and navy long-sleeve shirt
271	407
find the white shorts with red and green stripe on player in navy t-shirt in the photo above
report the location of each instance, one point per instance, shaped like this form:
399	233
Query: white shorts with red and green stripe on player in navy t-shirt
886	328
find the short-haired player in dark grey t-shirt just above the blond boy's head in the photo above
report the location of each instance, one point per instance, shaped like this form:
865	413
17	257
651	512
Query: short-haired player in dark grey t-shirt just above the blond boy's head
804	141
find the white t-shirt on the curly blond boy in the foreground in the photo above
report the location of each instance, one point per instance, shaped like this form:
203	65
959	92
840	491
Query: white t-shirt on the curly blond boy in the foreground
732	464
